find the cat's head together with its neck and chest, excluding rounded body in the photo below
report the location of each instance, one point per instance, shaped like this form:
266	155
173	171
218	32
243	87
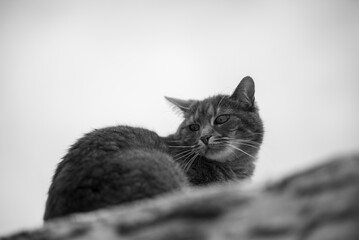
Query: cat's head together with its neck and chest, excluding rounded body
219	137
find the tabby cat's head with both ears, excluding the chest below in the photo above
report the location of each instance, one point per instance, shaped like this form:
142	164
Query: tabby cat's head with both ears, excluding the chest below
223	127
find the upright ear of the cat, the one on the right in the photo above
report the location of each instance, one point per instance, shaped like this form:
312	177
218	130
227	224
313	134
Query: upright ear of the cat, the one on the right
244	93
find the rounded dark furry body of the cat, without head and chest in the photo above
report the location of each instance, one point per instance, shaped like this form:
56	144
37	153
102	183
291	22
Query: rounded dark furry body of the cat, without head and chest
110	166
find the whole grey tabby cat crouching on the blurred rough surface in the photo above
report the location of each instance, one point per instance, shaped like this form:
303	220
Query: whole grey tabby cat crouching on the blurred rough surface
217	141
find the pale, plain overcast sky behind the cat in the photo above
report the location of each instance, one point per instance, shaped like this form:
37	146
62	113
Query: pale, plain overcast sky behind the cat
67	67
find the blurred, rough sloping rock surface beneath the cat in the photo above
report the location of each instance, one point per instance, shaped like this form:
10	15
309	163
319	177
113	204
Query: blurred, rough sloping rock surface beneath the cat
320	203
